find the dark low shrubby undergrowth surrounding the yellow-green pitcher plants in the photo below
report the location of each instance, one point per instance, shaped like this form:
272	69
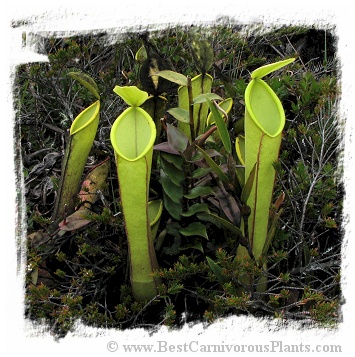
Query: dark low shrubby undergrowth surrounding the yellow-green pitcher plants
84	273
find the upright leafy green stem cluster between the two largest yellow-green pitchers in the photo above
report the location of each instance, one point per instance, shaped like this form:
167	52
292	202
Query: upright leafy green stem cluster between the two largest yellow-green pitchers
198	183
